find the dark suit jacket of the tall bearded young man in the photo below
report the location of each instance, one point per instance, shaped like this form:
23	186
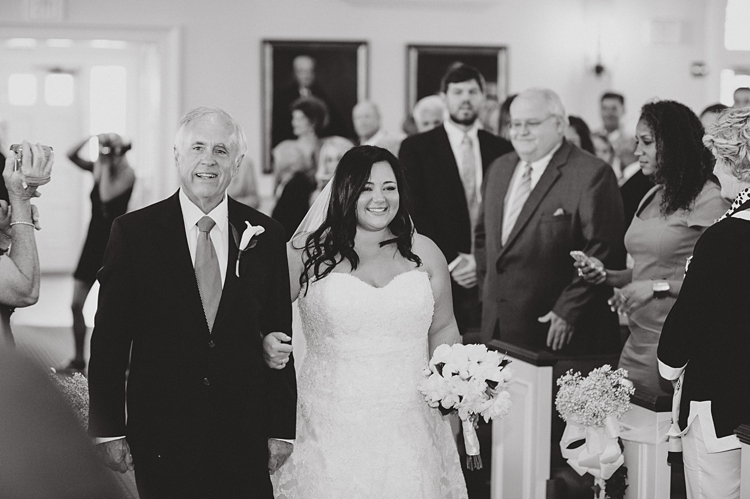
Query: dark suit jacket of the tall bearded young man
439	208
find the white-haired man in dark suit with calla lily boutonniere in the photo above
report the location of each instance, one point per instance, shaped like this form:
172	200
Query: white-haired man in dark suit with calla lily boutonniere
182	312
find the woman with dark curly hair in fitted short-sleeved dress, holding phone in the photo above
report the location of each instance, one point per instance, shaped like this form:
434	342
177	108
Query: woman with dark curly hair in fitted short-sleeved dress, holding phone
671	217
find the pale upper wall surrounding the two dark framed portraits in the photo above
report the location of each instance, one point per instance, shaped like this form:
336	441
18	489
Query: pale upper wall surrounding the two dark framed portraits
551	43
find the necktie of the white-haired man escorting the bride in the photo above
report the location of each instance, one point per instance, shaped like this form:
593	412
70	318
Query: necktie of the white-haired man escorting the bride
207	271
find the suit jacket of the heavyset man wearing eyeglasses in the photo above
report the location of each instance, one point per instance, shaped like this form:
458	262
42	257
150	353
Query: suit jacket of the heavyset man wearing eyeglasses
575	205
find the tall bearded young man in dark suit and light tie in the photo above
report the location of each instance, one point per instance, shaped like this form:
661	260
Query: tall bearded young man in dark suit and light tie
445	168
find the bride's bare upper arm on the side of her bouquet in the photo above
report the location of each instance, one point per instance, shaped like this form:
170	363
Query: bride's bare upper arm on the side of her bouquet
443	328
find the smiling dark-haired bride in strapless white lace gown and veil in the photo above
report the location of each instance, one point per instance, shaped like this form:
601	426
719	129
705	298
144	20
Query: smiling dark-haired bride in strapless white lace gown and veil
375	301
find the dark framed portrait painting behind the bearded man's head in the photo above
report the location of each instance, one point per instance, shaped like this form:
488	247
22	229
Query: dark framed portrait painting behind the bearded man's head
428	63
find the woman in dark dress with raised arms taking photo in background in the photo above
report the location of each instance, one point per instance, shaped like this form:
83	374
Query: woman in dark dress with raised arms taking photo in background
113	185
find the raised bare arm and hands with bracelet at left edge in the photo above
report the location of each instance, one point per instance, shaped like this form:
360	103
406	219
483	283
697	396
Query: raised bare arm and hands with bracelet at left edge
19	260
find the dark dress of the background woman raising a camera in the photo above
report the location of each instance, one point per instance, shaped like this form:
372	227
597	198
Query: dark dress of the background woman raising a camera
102	216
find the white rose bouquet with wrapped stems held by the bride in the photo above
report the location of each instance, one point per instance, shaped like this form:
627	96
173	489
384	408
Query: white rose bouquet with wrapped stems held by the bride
471	381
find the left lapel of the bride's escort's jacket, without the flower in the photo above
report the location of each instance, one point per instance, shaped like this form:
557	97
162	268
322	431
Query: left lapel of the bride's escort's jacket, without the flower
175	253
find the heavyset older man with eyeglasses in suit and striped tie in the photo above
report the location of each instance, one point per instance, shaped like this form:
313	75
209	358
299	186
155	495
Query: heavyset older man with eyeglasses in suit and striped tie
539	203
